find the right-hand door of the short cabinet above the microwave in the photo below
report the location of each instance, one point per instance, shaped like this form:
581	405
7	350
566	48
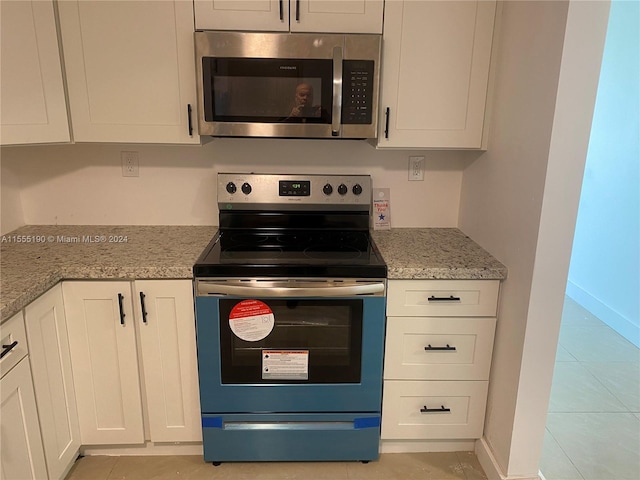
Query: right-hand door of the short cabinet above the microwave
347	16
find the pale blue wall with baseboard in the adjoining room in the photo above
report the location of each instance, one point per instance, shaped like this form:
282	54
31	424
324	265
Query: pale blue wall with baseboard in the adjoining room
605	263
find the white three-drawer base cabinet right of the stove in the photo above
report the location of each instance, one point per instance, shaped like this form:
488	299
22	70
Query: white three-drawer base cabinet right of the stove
438	350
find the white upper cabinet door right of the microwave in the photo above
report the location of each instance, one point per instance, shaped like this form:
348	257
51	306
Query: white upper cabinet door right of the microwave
435	74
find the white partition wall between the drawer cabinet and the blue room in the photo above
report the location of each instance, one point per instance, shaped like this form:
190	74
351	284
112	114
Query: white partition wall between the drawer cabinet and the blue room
519	201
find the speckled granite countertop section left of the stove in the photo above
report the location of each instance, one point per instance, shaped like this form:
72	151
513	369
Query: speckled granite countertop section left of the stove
27	270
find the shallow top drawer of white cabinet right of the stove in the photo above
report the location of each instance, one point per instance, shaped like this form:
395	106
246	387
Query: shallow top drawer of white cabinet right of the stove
442	298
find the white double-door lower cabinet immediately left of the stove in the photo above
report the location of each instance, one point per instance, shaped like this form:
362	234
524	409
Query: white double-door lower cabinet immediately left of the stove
103	318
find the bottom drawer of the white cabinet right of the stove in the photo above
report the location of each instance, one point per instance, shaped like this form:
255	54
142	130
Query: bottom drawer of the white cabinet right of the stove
433	410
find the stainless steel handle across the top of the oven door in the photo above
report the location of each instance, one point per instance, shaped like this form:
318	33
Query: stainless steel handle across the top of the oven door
260	291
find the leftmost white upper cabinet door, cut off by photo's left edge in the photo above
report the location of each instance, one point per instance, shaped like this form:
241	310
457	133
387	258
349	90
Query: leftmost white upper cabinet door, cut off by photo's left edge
33	107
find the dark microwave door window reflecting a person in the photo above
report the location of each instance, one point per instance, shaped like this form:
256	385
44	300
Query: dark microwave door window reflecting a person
267	90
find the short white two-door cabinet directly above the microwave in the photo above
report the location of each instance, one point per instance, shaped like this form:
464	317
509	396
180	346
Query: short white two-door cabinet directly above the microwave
326	16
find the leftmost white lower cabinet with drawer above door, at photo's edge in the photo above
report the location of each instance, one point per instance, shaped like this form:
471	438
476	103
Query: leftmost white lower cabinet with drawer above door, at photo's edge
21	451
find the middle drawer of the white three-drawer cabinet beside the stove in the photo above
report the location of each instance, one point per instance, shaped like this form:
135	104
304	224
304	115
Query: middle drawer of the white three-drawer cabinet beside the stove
438	348
